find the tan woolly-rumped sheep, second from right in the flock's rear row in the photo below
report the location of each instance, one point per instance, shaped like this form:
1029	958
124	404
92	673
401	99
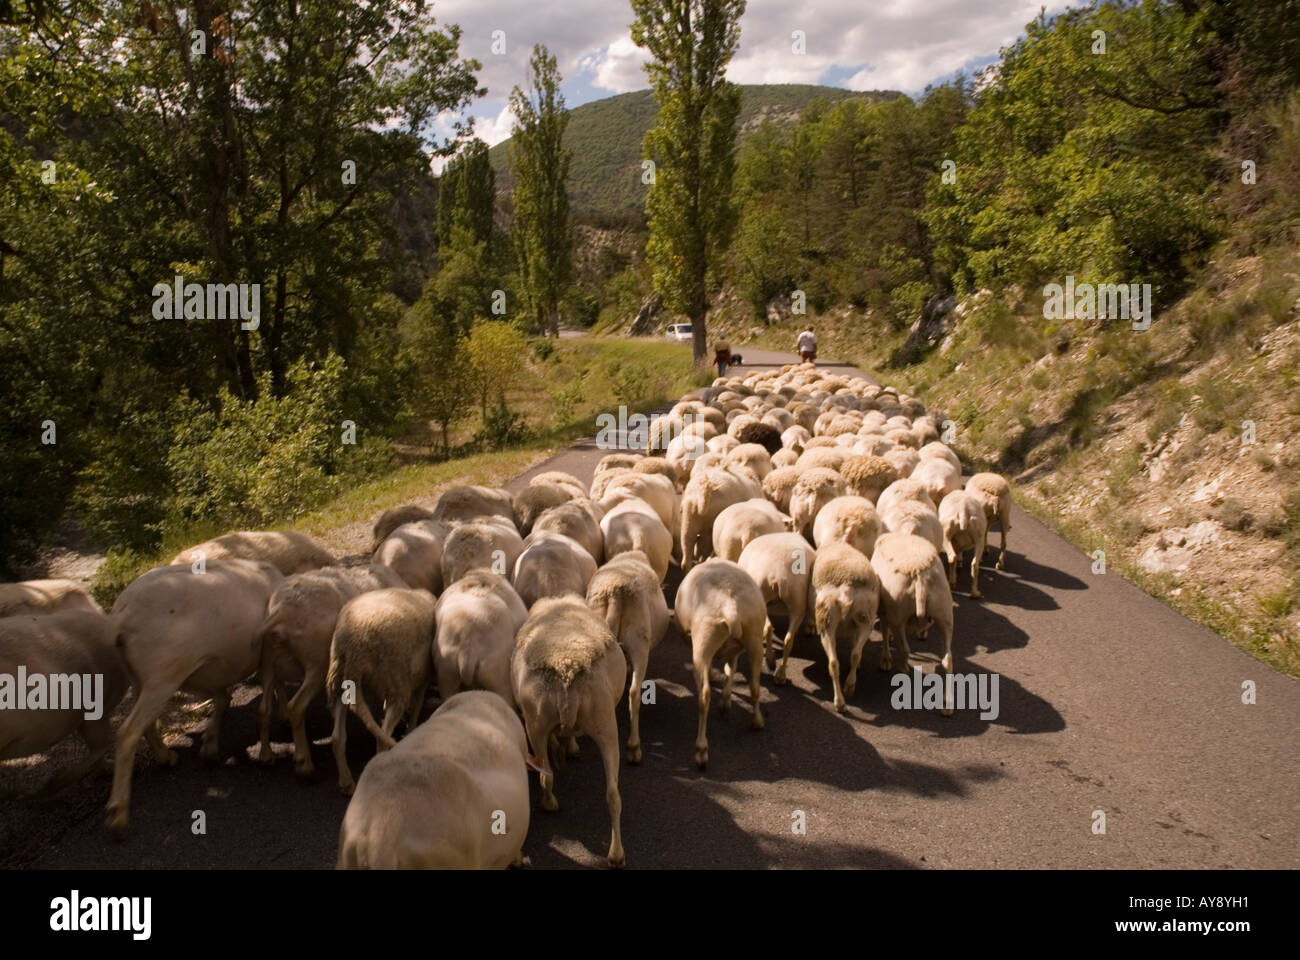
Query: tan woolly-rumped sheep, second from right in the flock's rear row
846	600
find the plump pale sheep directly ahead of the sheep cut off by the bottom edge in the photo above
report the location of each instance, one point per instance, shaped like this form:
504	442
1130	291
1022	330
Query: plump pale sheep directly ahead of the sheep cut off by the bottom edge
475	626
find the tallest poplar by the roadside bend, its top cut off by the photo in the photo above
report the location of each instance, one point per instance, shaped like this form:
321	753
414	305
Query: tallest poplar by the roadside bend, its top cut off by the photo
692	145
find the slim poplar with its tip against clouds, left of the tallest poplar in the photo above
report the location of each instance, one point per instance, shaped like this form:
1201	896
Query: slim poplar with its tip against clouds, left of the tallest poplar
544	233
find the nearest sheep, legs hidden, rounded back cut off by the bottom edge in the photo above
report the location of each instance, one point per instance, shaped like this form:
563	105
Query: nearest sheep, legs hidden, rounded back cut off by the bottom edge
453	795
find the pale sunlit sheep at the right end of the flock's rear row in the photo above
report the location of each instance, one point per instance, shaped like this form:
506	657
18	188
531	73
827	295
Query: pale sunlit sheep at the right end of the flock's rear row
915	594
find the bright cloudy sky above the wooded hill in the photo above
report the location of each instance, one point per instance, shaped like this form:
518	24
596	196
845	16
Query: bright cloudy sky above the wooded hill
859	45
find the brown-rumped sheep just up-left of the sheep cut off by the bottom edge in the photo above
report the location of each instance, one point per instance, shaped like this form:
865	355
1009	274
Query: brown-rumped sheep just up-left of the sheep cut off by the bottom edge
382	646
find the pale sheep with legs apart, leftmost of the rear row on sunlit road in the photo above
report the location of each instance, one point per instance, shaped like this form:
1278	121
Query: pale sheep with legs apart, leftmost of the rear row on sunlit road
722	612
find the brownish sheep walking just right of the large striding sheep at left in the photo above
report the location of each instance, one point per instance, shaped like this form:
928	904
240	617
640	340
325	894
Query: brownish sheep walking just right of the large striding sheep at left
296	638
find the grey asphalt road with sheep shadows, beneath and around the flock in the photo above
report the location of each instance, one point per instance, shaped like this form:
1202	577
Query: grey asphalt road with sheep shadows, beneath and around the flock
1110	702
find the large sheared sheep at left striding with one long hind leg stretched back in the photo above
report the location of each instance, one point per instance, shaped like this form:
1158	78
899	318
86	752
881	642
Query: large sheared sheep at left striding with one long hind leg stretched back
183	630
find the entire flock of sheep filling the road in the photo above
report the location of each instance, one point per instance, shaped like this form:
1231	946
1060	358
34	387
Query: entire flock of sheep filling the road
826	499
